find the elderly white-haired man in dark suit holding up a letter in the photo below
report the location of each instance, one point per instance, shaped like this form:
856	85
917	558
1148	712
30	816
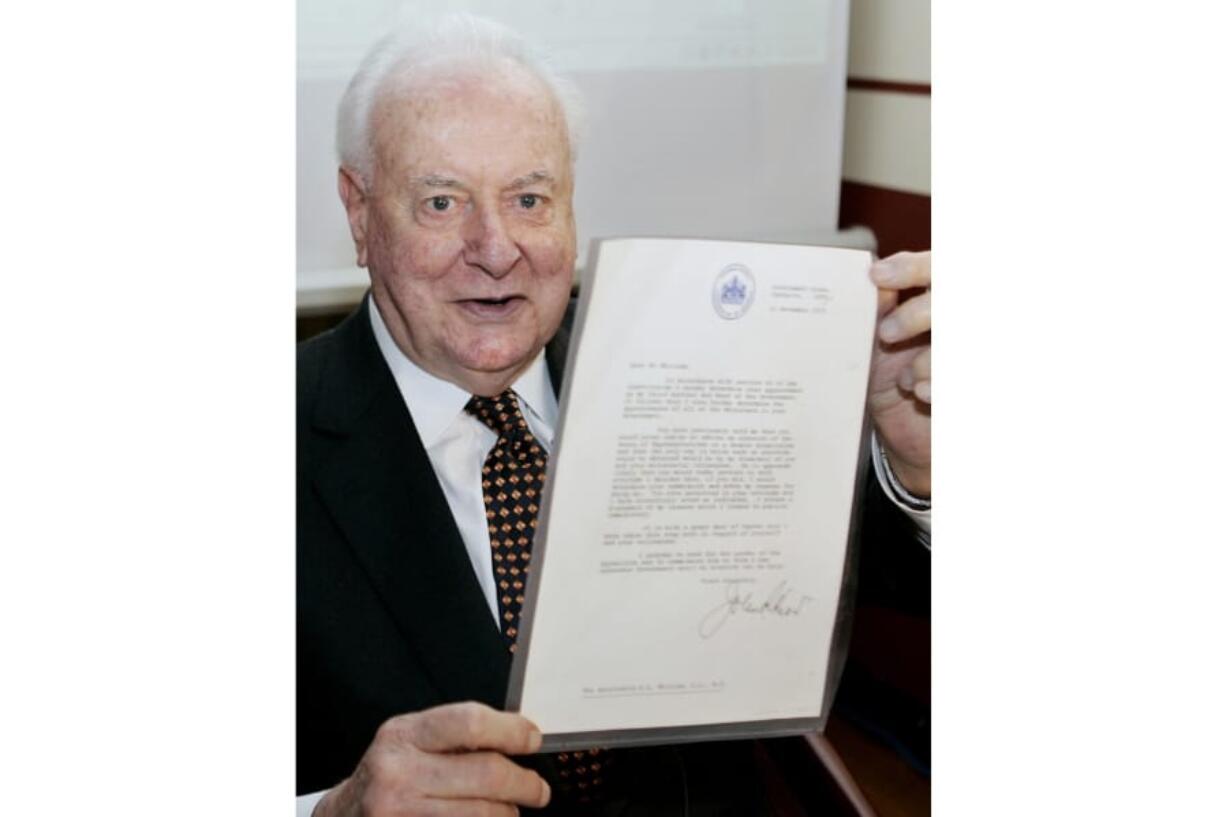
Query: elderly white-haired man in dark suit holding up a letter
457	176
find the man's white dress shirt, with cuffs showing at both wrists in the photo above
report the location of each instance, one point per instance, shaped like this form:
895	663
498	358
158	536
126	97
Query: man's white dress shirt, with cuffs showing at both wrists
458	445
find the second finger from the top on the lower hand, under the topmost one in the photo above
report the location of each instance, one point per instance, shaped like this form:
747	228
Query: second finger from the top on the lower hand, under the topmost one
485	776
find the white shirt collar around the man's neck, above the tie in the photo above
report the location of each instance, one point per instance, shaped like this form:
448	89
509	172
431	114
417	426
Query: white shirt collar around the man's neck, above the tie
435	403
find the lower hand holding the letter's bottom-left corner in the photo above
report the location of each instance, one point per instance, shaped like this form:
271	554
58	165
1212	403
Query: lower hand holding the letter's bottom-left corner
449	760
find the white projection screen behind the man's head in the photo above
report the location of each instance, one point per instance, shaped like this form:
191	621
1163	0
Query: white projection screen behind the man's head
707	118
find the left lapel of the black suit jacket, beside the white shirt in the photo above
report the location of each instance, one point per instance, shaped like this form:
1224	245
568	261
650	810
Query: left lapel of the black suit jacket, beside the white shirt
381	489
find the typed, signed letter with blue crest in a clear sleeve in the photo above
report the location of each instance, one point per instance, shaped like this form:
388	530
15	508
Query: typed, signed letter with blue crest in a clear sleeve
701	495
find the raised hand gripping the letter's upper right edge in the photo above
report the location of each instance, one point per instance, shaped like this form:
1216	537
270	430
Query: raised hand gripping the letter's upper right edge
900	388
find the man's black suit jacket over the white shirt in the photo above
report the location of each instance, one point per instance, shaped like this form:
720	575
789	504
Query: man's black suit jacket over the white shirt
390	616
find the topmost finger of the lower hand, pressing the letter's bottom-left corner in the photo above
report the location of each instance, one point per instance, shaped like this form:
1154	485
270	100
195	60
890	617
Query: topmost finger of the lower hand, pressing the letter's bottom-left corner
470	727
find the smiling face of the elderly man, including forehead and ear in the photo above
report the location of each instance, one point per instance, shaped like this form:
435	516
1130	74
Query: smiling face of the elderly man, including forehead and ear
466	226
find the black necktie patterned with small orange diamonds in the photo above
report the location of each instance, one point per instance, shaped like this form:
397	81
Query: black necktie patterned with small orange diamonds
512	483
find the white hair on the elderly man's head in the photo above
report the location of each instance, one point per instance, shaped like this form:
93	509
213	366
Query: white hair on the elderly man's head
454	42
